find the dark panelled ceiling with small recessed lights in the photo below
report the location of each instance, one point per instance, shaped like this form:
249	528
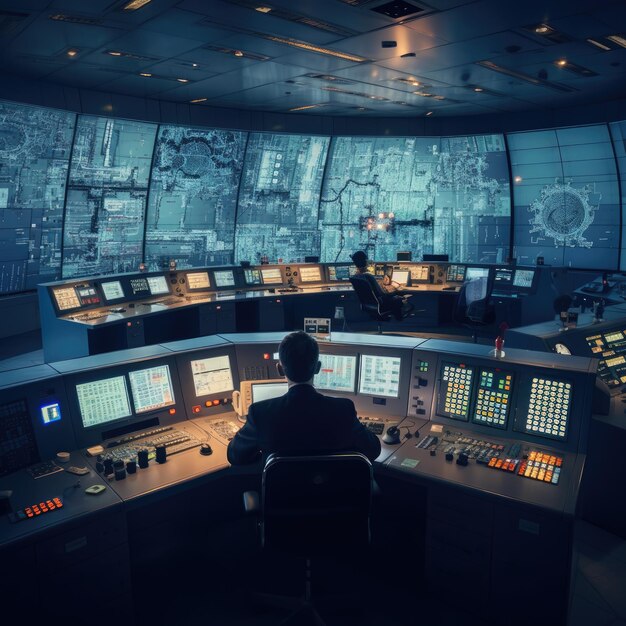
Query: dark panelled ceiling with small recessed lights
441	58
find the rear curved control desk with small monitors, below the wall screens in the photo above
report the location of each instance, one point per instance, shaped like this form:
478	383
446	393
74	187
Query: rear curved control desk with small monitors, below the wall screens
86	316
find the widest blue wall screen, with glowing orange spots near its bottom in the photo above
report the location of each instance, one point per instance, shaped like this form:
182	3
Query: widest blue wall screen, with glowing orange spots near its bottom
446	195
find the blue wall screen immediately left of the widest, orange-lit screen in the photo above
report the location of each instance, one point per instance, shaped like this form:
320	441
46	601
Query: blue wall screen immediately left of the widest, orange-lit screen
277	214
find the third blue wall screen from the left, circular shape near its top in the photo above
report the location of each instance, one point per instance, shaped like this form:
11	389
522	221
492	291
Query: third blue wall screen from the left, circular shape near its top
193	197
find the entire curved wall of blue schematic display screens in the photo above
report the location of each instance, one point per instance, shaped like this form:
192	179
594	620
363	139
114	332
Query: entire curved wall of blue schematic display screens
137	191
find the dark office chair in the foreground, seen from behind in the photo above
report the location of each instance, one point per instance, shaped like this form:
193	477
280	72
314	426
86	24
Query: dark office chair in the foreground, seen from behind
312	505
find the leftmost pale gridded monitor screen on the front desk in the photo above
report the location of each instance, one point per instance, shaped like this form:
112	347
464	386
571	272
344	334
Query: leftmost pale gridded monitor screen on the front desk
103	401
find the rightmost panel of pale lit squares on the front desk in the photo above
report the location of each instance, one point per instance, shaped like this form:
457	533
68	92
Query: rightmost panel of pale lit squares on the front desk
548	408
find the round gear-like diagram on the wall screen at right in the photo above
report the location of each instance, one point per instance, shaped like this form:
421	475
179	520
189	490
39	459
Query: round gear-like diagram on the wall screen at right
564	213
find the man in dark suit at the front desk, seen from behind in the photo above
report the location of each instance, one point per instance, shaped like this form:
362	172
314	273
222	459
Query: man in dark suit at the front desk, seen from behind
302	421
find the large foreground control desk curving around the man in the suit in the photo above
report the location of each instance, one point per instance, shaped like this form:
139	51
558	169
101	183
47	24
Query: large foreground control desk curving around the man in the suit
497	446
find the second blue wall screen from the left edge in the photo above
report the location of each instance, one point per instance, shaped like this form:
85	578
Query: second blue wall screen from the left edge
106	199
